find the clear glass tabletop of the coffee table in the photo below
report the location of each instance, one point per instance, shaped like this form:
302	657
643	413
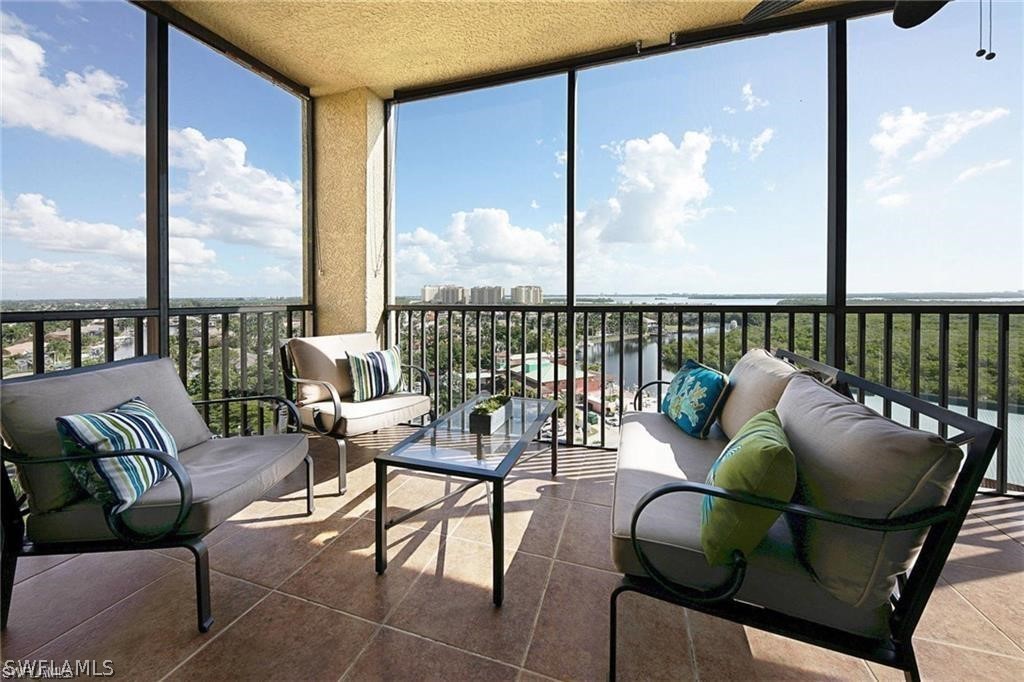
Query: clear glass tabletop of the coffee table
449	446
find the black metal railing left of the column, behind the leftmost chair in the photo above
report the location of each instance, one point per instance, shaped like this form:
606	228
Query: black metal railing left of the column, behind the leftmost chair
220	352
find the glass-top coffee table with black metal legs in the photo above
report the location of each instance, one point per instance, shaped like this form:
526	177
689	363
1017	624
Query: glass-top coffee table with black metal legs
447	447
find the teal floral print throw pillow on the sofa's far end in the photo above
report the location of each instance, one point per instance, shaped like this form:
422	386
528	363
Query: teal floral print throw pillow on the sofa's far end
695	398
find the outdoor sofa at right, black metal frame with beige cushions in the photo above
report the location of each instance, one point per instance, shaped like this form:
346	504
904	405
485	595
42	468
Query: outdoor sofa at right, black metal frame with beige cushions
850	571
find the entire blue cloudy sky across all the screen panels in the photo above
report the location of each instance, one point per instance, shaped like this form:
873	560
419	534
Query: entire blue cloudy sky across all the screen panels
698	172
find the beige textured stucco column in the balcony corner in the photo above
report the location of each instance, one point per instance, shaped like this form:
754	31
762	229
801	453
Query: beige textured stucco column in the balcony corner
350	166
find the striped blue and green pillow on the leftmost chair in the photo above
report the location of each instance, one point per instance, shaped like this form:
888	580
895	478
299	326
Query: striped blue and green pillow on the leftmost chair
117	482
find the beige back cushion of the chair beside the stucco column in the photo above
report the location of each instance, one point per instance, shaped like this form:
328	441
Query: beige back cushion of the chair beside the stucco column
325	359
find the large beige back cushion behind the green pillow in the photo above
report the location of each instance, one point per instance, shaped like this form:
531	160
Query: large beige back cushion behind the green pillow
854	461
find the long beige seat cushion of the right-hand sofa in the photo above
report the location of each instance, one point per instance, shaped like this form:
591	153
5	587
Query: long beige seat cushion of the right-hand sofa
654	452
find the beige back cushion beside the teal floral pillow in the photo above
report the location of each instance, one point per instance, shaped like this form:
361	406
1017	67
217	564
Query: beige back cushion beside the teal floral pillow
756	385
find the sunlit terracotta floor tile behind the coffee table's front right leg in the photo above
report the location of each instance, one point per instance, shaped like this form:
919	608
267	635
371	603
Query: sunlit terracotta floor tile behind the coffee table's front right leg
533	522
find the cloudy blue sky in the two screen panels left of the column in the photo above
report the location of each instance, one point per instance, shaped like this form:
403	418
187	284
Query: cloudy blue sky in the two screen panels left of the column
74	170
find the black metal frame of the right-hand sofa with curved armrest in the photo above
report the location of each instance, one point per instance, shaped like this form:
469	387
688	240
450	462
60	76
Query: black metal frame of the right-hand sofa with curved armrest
909	604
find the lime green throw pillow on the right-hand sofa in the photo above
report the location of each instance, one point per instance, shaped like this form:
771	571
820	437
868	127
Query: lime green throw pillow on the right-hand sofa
757	461
